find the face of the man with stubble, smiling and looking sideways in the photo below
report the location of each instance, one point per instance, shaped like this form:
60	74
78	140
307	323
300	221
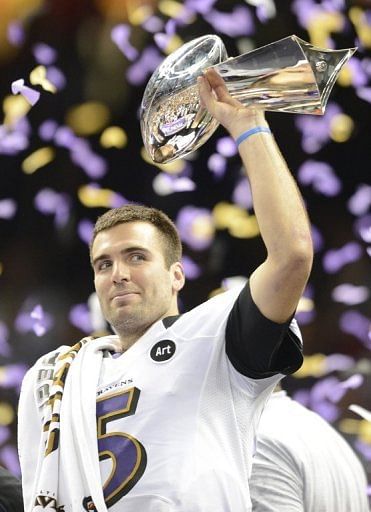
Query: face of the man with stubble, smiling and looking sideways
134	287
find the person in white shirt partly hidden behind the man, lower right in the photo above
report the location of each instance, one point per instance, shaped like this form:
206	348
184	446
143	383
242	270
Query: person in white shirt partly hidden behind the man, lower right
302	464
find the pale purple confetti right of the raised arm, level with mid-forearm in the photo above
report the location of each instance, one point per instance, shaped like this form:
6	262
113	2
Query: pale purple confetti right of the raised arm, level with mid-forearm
321	176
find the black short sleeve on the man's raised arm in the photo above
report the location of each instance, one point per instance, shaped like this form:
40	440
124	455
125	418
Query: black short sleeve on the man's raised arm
256	346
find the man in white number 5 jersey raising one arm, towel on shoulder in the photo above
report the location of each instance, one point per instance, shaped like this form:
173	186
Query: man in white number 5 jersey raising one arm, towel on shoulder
162	416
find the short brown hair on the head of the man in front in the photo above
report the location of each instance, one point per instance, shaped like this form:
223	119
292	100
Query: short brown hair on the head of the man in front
133	213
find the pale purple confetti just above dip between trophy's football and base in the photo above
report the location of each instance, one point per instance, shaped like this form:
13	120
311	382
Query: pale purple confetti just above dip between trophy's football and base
237	23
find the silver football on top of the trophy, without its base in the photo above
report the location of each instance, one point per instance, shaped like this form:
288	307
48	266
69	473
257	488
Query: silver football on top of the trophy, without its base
171	117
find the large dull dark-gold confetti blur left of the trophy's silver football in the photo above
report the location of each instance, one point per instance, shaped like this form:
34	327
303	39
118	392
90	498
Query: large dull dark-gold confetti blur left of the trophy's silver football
88	118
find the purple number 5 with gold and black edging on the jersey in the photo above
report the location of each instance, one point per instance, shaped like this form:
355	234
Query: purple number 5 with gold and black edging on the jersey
128	456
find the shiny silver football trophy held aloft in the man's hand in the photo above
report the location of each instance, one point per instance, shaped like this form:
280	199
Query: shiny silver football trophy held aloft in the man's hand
289	75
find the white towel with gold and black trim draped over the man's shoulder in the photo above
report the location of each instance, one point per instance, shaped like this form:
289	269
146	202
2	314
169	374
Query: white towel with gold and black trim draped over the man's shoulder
68	461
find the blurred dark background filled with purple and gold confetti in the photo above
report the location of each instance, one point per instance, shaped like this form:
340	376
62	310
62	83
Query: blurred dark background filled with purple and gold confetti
78	151
